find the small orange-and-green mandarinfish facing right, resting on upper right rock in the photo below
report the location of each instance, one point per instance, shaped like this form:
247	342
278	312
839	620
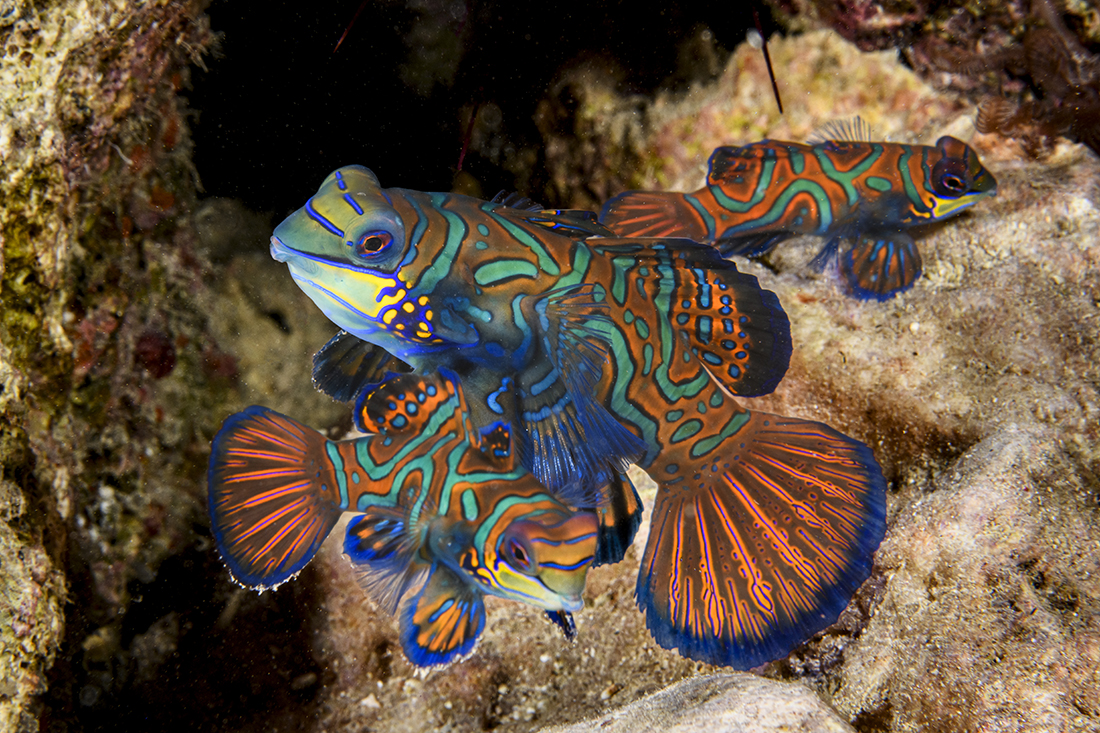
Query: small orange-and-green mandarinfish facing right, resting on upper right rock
839	187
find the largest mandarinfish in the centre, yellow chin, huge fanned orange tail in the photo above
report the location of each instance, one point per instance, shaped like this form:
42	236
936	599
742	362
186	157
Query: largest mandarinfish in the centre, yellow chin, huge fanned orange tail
586	352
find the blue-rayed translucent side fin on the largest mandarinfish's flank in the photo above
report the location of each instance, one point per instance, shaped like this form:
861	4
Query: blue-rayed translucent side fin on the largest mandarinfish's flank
571	443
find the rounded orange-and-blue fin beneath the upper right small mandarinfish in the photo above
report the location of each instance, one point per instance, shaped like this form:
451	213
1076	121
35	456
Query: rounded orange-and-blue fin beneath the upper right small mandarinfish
881	266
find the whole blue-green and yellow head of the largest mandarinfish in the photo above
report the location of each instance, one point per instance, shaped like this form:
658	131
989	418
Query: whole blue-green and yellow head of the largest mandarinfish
345	249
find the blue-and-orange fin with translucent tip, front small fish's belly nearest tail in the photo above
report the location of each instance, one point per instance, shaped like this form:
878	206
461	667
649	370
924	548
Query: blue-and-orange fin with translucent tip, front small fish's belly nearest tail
382	548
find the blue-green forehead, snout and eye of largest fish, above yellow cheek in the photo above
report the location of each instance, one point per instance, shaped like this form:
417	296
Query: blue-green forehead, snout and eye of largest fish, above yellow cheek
348	220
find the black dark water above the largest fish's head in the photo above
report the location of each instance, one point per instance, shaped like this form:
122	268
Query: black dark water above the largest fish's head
278	110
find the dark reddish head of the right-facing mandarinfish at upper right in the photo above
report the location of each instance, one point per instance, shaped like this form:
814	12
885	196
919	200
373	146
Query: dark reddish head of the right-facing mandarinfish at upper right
955	179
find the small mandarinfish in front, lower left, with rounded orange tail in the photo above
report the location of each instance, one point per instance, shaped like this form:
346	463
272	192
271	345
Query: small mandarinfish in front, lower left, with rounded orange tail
442	521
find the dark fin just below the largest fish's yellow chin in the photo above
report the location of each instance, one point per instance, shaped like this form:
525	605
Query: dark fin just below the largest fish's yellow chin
347	365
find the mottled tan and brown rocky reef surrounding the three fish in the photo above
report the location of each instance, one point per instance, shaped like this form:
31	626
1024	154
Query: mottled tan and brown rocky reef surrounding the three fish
135	319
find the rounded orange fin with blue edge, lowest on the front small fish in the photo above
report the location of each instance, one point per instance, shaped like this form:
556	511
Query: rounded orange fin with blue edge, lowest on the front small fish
443	621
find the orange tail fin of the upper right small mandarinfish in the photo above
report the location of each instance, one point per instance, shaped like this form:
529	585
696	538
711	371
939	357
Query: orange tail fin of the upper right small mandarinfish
654	214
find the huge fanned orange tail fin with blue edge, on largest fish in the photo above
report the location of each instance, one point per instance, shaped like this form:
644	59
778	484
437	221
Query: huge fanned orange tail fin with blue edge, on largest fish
762	544
